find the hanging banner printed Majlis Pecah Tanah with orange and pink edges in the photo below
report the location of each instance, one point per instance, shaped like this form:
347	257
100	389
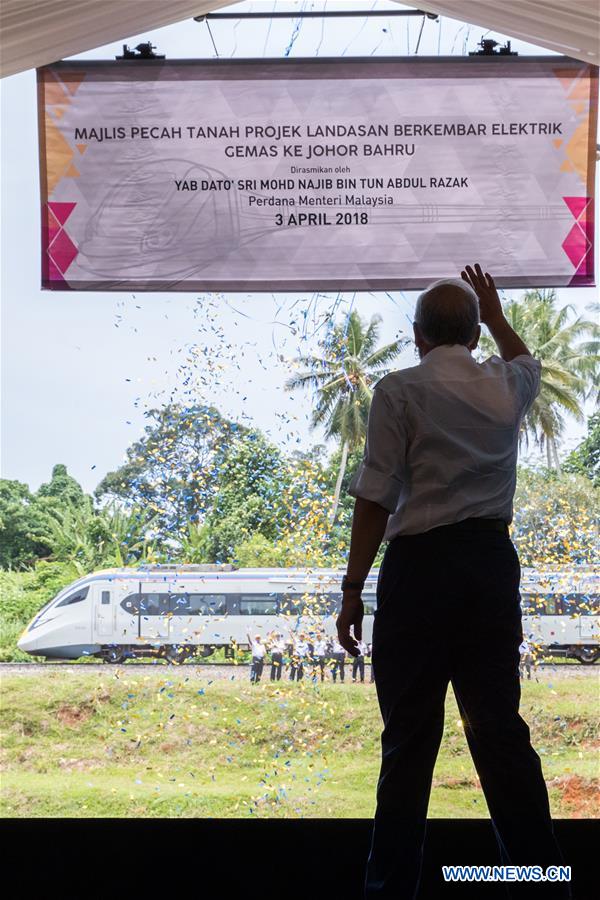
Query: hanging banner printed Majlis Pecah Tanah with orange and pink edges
316	174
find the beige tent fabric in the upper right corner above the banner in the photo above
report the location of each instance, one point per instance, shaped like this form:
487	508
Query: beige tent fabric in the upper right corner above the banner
571	27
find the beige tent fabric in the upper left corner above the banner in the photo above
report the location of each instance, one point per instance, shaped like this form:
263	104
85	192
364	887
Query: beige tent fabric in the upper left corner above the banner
36	32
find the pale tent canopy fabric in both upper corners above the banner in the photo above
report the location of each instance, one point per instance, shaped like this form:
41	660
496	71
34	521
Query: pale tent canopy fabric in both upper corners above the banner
36	32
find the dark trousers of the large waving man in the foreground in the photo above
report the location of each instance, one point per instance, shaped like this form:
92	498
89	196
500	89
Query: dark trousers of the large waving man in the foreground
448	612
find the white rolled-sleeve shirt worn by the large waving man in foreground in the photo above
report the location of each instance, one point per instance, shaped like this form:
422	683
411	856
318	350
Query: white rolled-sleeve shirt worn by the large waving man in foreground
442	439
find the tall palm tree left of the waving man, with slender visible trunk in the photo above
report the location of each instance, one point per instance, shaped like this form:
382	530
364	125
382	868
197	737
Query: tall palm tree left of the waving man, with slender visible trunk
343	377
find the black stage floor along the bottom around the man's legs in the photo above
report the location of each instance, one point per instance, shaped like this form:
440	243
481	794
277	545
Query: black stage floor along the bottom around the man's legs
312	859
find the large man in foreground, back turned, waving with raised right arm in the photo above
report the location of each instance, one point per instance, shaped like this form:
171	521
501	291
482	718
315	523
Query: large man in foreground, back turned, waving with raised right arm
437	481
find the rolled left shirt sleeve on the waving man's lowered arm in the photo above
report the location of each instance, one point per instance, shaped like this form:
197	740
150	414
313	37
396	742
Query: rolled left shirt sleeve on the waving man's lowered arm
380	475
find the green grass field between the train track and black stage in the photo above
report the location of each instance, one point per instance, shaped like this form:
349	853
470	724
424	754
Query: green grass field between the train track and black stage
176	744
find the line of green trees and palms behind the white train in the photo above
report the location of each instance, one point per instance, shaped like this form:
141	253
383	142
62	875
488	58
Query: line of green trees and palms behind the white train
197	487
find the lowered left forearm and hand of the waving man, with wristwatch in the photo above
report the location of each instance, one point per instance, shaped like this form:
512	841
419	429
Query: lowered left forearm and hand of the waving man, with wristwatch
368	527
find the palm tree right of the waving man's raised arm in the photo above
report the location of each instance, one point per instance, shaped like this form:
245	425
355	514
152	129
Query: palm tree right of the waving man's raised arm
569	350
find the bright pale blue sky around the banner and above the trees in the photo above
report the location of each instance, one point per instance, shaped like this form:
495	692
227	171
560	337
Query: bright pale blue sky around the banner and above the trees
78	369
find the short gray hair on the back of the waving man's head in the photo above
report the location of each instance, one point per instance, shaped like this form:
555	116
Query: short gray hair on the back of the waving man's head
447	312
